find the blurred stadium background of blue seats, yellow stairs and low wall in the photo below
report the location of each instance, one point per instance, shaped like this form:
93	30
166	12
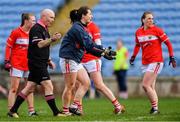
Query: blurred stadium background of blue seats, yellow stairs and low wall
117	19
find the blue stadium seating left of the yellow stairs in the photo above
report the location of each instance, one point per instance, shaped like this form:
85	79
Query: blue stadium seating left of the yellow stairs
10	15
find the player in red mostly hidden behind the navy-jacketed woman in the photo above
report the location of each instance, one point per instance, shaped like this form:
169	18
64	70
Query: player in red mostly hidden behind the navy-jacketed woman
93	66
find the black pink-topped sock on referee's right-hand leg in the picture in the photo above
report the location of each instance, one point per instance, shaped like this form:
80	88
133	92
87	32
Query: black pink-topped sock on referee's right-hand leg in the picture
51	102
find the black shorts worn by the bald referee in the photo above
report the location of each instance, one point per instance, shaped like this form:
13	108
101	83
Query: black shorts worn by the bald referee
38	75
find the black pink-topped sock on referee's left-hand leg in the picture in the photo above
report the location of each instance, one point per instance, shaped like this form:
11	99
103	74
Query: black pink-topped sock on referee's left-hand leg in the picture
19	100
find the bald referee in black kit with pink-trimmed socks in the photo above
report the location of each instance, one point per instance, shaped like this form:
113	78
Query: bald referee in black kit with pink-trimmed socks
38	61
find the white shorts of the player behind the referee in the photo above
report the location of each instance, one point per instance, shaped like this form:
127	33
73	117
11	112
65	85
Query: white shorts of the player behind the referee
19	73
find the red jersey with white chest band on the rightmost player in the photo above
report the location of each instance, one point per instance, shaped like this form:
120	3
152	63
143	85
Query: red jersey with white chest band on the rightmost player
150	41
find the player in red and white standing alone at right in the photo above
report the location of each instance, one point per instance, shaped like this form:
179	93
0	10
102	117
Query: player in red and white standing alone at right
149	38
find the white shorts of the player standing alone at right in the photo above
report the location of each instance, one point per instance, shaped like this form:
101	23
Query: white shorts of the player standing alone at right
153	67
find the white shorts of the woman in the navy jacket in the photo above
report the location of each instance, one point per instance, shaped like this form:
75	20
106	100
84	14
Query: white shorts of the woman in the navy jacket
68	66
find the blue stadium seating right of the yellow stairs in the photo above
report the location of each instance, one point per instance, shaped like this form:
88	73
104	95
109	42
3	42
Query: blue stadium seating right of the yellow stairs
120	19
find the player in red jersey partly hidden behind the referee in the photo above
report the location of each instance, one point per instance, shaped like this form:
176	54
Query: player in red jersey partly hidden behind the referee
16	59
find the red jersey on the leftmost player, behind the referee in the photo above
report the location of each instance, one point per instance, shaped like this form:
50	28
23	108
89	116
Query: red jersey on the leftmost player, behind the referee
18	41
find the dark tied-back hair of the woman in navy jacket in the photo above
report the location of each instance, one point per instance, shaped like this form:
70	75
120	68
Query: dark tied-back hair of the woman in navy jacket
76	15
